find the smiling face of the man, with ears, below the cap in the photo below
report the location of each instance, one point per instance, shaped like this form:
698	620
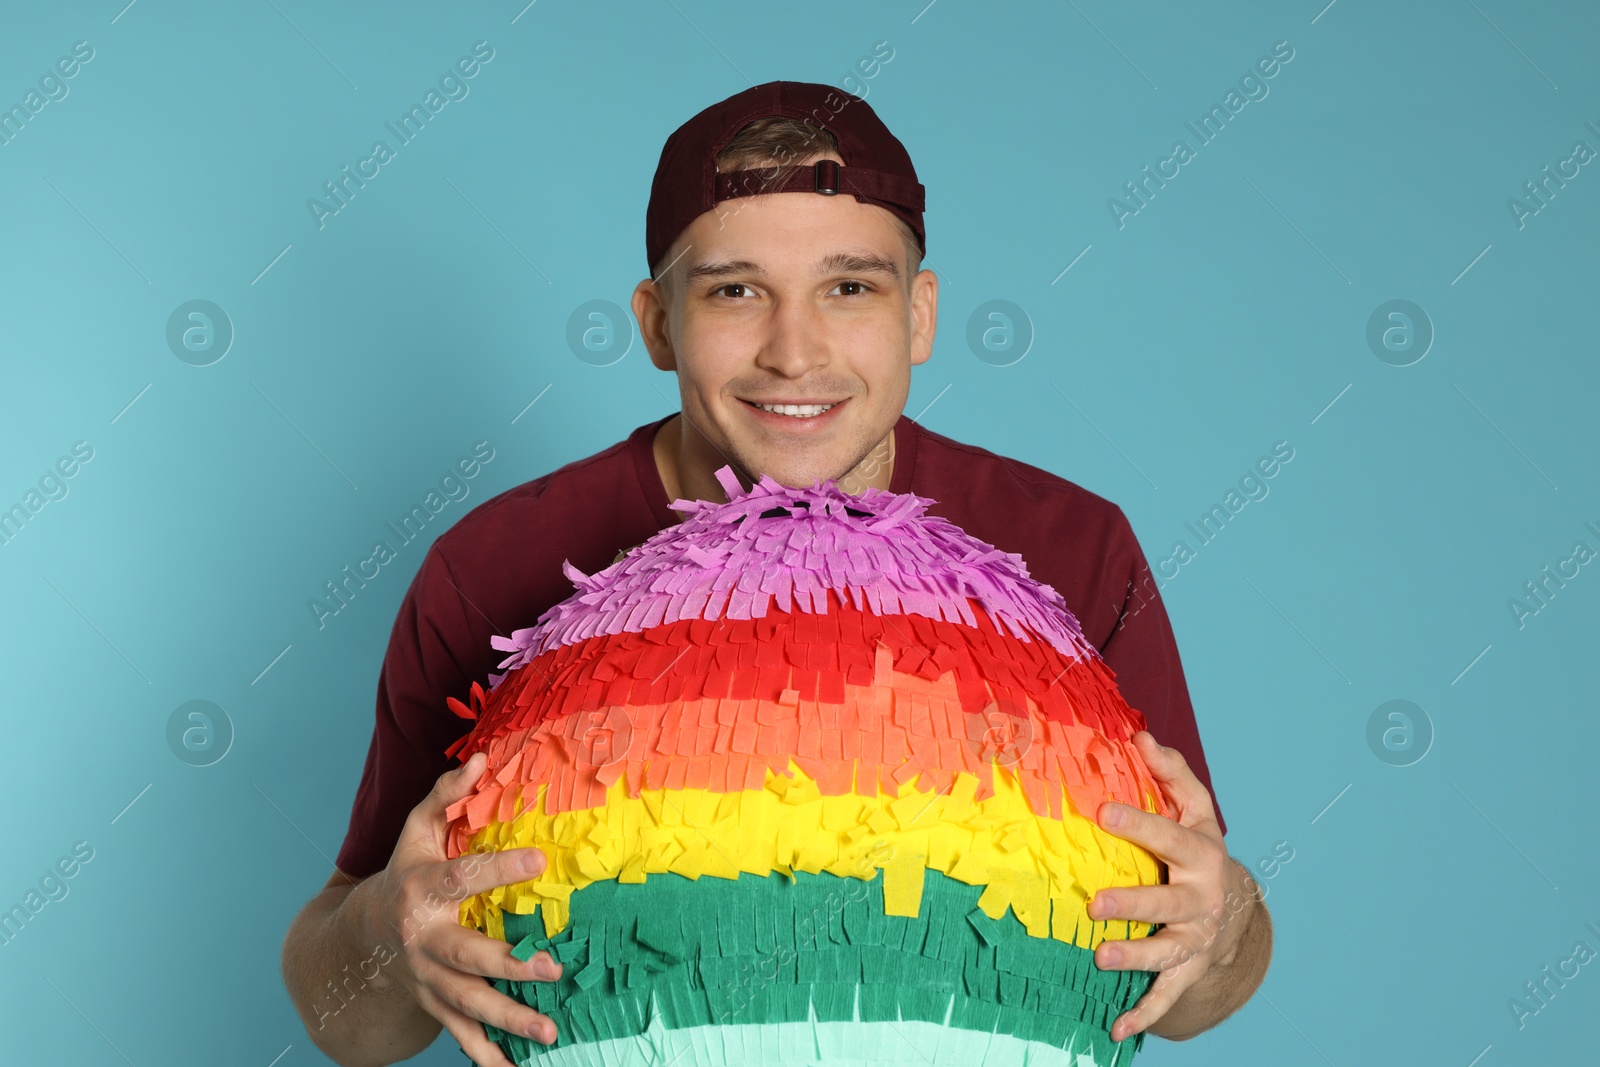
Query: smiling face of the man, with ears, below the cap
791	300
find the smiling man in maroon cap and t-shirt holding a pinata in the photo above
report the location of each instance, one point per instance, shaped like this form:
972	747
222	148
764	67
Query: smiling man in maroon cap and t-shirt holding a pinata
785	239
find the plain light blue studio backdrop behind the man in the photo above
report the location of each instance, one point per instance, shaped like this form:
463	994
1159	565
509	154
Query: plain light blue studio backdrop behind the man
1223	318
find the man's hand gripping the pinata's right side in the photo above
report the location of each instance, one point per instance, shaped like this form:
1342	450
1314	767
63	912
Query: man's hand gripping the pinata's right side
1204	889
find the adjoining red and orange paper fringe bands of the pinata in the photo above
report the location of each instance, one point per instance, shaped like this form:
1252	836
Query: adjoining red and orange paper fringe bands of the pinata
854	700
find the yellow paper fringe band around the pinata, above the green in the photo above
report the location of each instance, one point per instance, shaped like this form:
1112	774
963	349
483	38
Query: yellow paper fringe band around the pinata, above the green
1044	869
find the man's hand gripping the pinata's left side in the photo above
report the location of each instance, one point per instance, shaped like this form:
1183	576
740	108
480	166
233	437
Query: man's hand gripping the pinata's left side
415	901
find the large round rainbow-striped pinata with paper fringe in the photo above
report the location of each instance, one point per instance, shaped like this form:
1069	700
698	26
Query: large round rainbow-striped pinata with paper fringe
817	777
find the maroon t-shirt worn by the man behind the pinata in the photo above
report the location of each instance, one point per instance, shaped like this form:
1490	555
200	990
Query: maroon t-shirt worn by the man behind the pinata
500	569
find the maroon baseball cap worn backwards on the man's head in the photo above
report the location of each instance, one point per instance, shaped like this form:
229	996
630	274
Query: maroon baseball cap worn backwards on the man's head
876	170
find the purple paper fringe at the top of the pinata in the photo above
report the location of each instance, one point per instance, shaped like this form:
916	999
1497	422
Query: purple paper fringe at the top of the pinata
726	561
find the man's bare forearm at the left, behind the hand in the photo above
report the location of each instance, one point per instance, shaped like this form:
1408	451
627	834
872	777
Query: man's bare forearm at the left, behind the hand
345	993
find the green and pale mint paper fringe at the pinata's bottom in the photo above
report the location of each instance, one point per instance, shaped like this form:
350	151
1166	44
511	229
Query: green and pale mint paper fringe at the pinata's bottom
727	969
